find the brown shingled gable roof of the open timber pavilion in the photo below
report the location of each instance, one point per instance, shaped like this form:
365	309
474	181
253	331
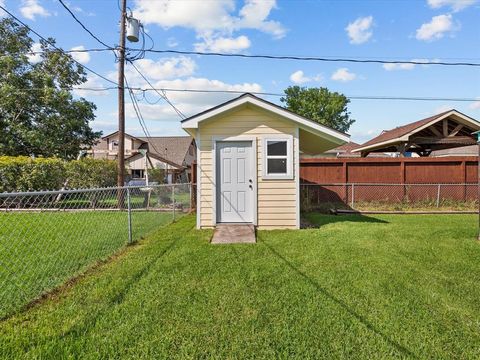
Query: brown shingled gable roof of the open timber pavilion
401	133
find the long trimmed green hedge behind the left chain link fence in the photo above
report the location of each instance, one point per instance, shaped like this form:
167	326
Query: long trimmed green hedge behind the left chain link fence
23	173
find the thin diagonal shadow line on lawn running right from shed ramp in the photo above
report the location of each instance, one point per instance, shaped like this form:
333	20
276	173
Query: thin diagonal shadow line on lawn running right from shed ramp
399	347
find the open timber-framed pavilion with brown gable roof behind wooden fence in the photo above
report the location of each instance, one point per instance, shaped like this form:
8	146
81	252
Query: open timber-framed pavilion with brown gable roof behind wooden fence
447	130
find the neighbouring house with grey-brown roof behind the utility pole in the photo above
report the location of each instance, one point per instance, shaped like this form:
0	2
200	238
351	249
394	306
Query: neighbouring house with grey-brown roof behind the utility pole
175	154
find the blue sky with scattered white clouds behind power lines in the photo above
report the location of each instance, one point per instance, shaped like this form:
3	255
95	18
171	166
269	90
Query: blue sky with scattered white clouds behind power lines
423	30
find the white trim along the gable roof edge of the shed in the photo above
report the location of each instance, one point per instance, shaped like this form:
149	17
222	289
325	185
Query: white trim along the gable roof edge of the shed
309	125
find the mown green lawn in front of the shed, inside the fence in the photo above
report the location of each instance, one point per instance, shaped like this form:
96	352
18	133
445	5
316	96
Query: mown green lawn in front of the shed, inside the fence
355	287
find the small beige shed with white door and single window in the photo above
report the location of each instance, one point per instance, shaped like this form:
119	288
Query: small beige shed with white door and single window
248	162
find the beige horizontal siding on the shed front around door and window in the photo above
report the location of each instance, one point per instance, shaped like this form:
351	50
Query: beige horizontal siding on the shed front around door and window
276	199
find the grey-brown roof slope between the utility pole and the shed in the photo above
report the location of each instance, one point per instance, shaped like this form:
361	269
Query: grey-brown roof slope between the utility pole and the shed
172	148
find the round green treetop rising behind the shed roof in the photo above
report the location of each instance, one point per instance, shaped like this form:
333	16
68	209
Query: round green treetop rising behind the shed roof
320	105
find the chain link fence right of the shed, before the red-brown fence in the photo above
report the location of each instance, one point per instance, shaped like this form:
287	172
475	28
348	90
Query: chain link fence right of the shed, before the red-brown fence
389	197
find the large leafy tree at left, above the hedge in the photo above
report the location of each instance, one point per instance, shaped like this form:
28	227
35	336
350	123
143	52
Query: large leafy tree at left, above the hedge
38	114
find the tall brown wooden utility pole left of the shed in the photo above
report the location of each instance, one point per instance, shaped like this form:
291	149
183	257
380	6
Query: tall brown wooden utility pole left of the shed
121	98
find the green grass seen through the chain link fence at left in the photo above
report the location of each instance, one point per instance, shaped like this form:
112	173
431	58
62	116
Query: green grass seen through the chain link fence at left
41	250
